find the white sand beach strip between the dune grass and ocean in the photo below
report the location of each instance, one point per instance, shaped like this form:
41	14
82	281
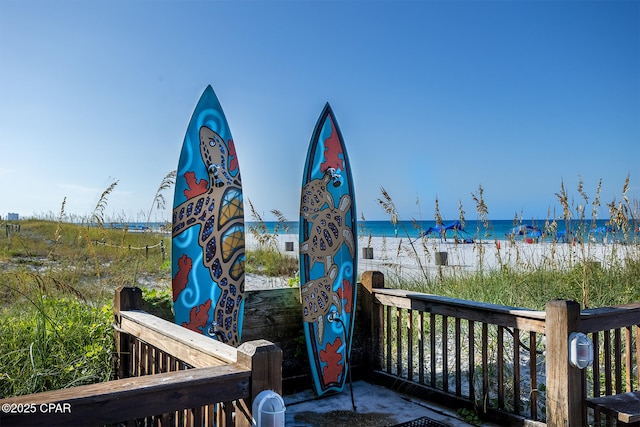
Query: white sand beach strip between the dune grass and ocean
400	258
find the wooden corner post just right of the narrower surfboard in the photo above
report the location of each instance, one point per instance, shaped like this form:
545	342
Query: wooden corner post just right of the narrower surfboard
373	318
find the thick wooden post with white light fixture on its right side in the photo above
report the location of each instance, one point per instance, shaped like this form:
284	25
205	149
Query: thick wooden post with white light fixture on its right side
564	382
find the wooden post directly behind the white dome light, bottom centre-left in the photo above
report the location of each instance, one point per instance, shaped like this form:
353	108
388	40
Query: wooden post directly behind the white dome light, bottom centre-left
265	361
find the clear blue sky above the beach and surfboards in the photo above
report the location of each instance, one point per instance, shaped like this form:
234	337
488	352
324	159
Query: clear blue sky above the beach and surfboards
434	99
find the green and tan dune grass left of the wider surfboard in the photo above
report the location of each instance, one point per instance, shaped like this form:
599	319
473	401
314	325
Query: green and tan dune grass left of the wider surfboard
57	282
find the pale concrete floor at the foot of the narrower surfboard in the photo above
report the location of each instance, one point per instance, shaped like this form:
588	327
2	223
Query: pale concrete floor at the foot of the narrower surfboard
376	406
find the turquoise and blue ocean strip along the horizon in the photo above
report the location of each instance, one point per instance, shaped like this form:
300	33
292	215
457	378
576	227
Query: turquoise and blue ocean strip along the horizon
476	230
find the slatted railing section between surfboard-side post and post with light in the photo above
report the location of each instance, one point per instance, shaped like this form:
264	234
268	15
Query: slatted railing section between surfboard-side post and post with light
459	353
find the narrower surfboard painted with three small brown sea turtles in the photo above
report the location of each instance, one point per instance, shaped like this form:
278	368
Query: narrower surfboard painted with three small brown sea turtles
328	255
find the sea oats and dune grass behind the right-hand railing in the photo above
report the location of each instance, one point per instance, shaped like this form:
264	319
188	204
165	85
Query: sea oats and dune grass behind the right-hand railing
567	270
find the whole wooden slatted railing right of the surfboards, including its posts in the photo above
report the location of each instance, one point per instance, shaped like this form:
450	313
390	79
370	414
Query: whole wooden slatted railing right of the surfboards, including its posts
509	364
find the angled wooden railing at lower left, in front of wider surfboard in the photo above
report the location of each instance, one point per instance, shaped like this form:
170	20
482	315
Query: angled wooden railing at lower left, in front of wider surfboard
168	375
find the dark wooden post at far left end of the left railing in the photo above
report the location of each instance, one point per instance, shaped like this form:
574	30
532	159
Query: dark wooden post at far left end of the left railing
125	298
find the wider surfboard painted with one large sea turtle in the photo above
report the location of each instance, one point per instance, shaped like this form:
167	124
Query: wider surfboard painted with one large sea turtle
207	245
